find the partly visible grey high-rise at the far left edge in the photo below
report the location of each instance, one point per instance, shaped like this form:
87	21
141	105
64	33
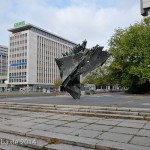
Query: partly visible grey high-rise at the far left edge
3	66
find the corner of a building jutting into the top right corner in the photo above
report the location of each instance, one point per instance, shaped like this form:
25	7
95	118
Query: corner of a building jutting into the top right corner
145	8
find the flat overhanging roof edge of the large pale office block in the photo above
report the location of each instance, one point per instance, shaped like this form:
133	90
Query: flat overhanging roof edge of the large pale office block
29	26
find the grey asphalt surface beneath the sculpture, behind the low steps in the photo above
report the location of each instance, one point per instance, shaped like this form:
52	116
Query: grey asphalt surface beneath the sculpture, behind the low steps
107	99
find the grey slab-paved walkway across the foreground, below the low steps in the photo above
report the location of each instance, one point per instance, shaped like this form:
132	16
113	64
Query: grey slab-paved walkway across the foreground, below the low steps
70	132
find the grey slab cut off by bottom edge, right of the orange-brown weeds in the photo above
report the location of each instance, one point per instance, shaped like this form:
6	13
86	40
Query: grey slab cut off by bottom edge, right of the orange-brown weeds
64	147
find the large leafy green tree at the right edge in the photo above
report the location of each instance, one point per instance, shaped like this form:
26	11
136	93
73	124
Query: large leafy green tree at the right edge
130	49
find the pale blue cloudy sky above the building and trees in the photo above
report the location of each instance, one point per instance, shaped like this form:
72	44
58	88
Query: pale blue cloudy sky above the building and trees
76	20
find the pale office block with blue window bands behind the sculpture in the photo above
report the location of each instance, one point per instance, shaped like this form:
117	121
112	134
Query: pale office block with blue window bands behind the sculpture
32	53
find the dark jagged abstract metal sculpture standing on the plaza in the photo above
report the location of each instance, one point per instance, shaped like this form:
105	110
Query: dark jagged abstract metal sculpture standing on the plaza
79	60
